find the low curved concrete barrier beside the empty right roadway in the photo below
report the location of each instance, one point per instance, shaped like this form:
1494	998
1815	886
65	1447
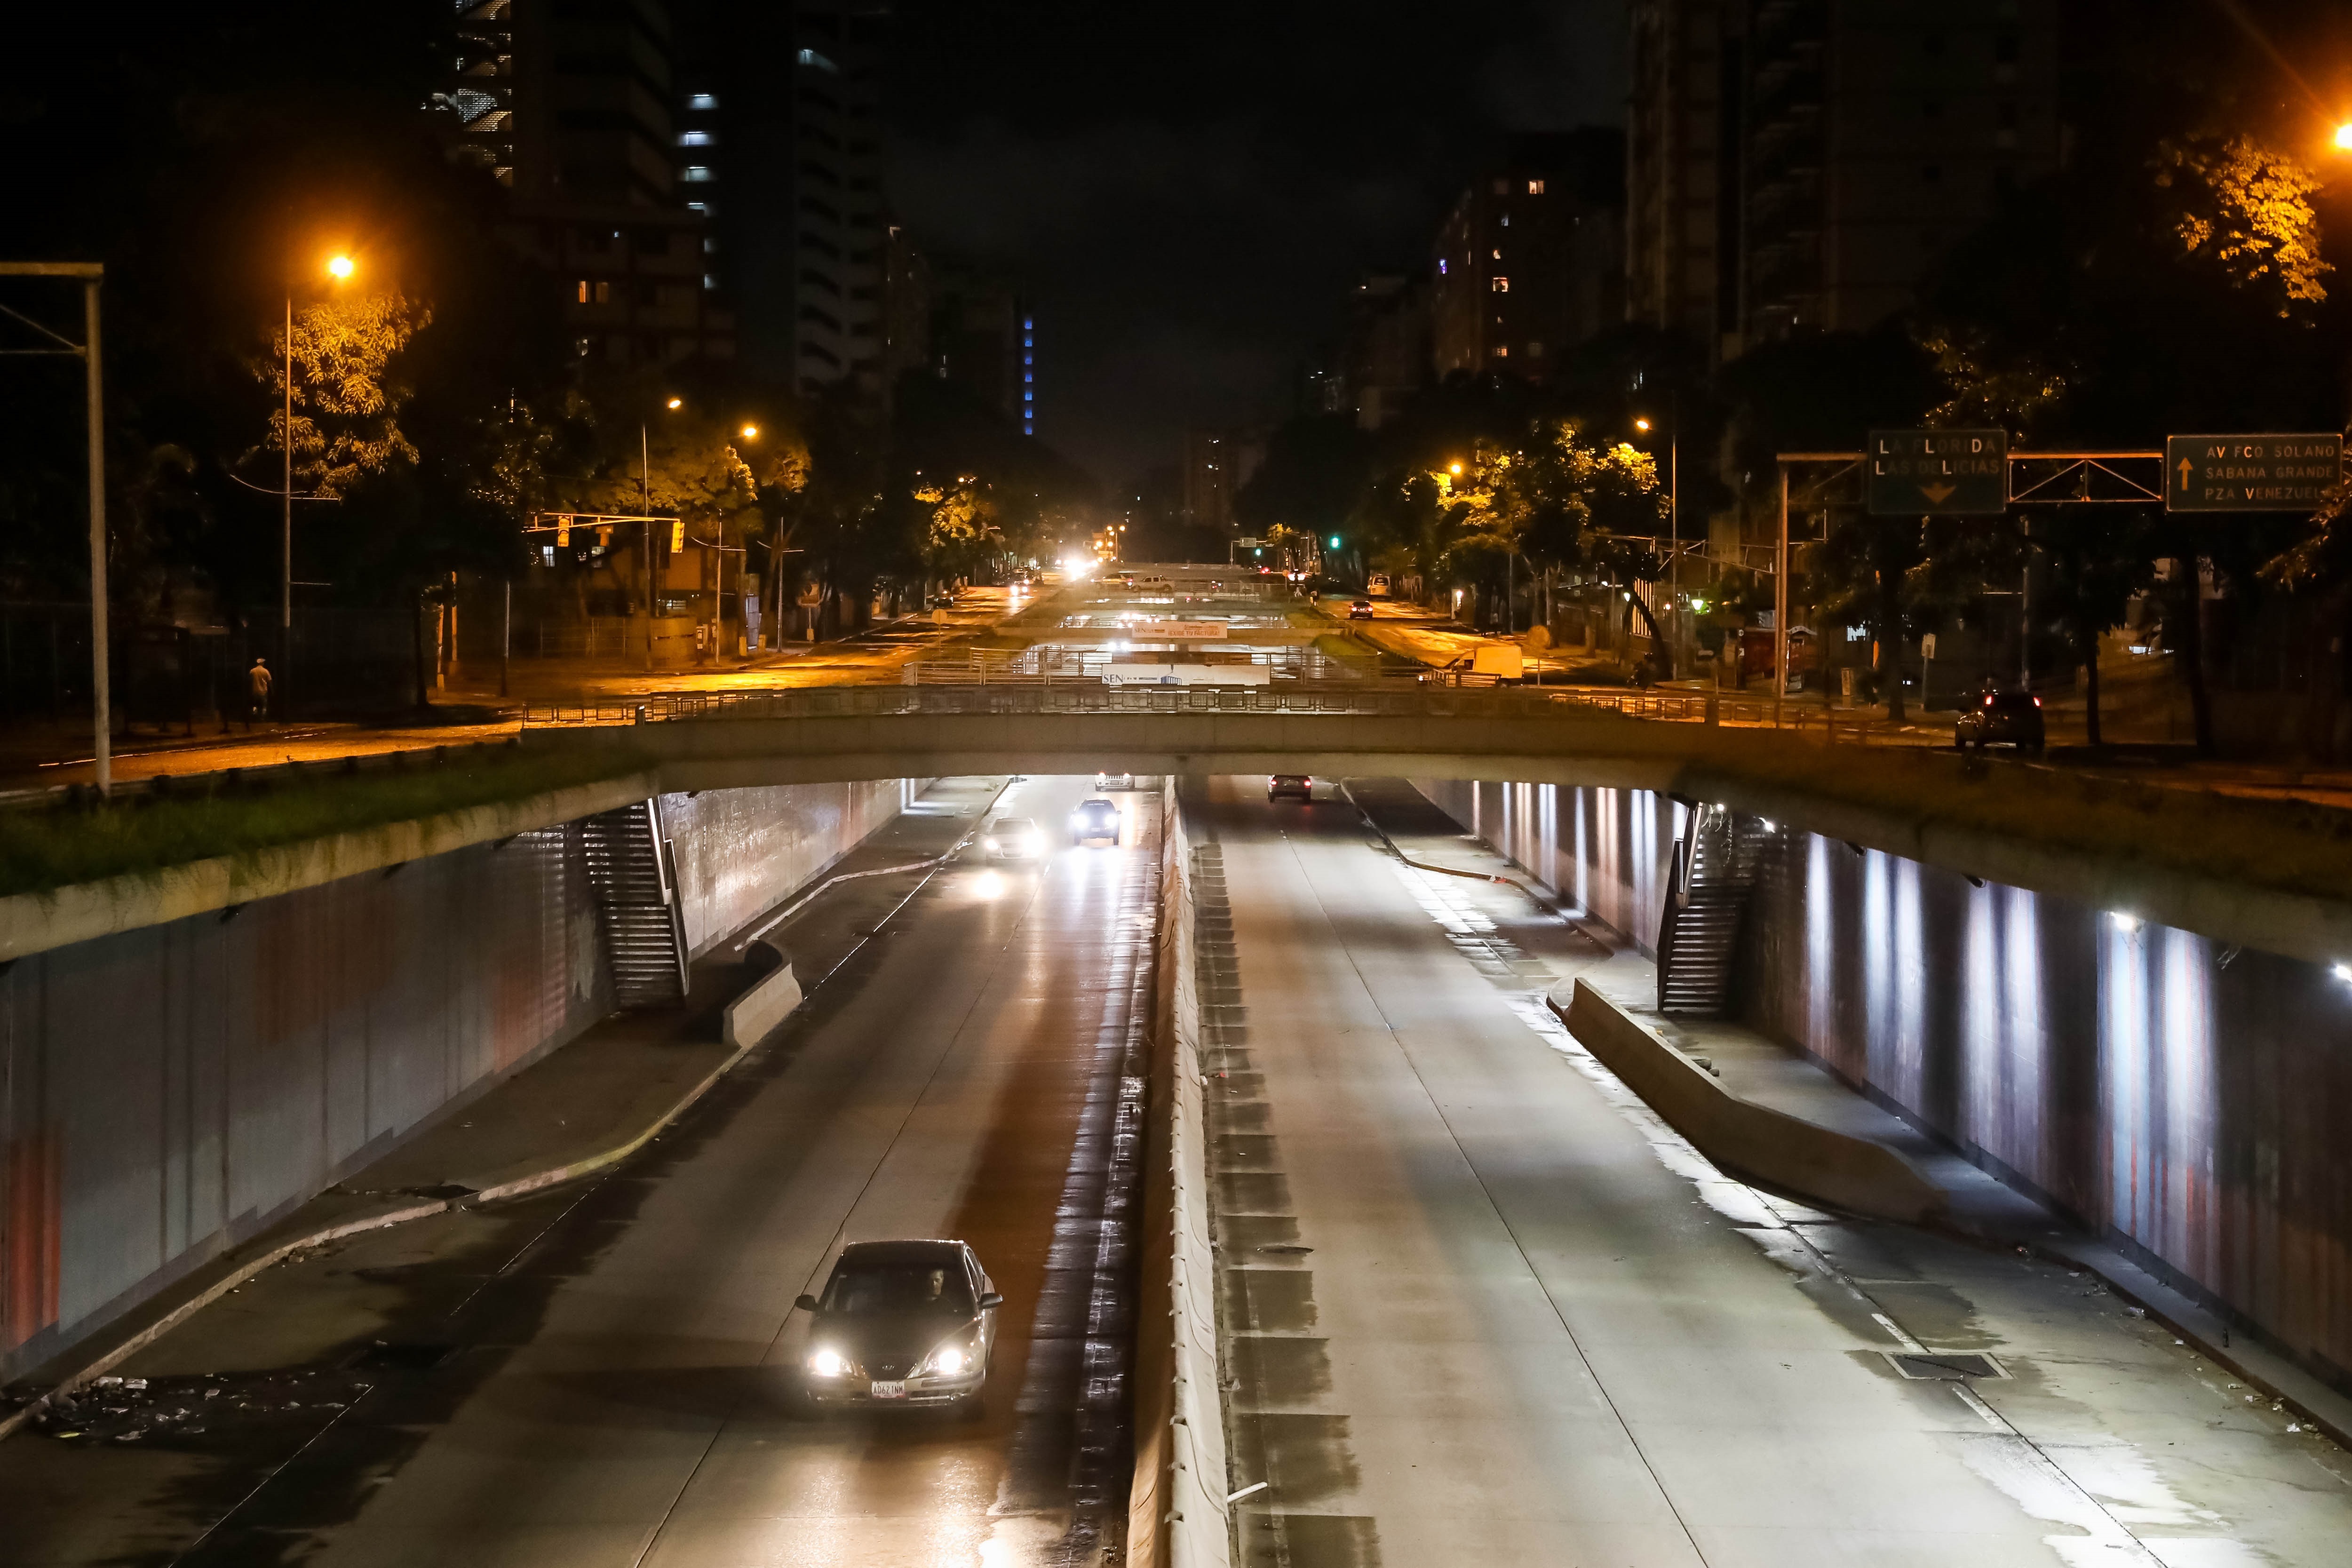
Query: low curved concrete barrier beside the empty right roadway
1749	1139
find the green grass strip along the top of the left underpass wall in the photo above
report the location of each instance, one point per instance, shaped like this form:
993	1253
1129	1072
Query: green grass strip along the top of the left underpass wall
51	847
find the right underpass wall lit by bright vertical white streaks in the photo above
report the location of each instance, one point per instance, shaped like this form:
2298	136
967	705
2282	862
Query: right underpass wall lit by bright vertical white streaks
2174	1094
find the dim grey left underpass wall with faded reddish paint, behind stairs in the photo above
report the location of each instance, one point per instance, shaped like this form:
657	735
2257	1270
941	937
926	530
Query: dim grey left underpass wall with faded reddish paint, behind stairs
175	1090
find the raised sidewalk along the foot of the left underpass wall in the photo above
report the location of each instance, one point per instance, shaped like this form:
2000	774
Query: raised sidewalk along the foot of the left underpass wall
570	1113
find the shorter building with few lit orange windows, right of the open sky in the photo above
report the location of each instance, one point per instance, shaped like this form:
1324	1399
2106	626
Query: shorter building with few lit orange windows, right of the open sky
1532	260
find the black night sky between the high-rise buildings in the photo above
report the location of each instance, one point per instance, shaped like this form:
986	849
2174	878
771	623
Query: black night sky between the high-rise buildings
1189	192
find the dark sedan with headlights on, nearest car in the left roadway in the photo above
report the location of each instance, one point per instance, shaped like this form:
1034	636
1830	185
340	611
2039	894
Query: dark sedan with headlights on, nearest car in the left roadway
902	1325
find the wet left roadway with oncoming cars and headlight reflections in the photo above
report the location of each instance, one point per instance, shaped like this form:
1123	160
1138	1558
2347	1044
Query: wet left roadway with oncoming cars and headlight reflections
606	1376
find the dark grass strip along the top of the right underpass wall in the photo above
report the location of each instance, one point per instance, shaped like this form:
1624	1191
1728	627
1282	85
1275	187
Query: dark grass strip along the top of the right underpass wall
2292	847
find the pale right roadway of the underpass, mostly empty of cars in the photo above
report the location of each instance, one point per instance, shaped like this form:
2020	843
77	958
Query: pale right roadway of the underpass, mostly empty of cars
1485	1308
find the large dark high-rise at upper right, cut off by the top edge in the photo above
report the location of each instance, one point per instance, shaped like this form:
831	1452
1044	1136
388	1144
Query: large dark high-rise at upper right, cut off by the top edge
1805	163
